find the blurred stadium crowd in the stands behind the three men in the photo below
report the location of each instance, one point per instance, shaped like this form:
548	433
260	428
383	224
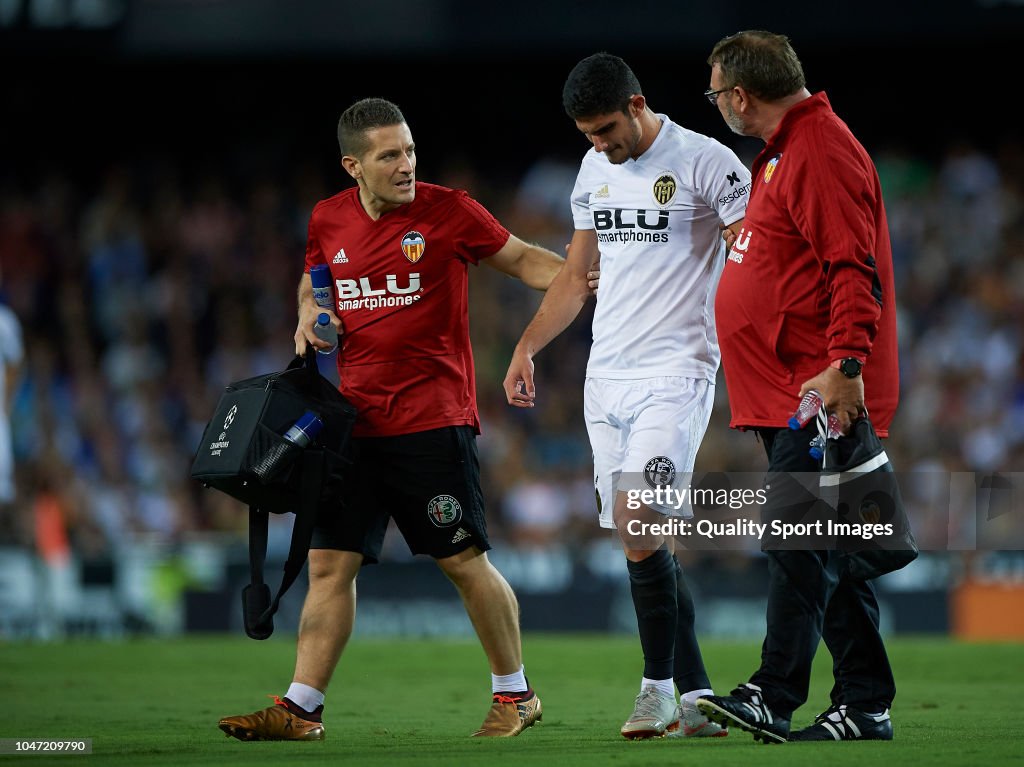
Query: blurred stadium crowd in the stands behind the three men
147	289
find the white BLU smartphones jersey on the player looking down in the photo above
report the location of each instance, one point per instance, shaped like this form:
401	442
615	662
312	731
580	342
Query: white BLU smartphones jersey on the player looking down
657	221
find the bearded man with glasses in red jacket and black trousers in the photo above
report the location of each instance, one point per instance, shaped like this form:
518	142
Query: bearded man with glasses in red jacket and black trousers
806	302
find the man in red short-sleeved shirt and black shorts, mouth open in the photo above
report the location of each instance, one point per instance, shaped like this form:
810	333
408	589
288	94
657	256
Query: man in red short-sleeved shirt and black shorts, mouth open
399	252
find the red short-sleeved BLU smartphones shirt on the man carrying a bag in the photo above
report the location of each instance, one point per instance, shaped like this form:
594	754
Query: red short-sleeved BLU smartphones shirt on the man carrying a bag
403	291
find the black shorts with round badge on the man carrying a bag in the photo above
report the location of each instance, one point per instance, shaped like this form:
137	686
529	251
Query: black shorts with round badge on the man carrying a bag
429	482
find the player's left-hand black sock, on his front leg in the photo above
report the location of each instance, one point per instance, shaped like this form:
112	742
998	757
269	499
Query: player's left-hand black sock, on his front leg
653	583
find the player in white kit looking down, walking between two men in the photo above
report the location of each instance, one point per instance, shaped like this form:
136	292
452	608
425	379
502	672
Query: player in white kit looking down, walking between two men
651	201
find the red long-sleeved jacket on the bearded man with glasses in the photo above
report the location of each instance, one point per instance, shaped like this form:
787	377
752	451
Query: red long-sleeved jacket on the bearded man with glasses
810	279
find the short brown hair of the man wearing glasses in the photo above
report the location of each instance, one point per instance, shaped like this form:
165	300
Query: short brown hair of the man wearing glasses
763	63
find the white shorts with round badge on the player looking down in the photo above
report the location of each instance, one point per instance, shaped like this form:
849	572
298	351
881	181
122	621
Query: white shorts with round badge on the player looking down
646	434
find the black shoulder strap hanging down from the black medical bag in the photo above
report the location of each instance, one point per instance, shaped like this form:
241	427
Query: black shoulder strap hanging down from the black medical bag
258	609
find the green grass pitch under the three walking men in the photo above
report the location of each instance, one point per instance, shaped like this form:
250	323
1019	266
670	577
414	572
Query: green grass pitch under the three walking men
396	703
